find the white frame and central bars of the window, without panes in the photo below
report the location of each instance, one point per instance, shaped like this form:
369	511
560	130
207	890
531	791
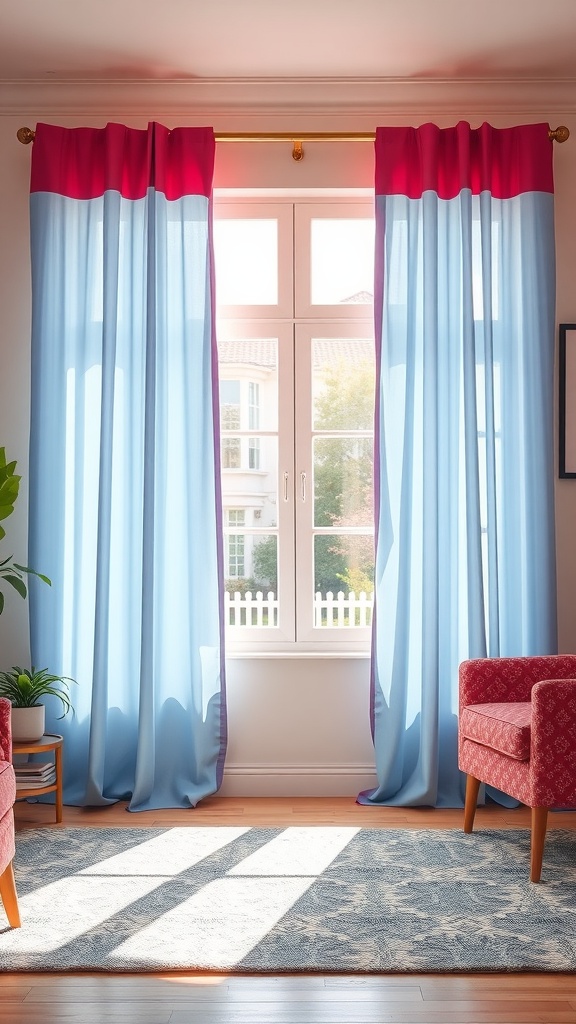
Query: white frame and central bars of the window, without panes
295	321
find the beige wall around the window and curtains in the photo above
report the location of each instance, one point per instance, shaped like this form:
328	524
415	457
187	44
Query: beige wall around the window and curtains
281	739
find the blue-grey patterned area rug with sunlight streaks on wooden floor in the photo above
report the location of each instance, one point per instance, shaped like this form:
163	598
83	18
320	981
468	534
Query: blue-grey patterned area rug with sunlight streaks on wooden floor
301	900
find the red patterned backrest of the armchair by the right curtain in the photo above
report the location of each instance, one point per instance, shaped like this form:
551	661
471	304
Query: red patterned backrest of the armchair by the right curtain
500	680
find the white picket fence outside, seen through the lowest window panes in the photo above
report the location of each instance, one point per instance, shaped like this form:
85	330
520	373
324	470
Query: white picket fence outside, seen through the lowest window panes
337	611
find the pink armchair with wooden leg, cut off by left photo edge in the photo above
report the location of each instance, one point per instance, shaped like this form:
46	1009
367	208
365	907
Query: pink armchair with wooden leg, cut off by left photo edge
8	796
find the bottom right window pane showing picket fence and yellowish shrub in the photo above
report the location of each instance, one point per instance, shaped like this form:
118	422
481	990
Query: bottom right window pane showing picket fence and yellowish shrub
344	581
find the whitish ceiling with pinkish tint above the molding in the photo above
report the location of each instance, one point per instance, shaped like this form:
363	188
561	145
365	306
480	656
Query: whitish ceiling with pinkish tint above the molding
287	39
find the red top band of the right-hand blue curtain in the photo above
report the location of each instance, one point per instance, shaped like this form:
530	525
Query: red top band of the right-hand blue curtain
505	162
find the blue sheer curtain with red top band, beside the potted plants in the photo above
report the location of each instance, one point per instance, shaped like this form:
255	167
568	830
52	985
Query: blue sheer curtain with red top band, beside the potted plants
126	488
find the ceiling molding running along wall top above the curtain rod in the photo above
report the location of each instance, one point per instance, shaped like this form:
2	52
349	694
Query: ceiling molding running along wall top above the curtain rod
287	99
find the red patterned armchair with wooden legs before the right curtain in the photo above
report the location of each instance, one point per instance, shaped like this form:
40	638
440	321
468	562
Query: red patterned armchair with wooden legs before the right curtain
517	733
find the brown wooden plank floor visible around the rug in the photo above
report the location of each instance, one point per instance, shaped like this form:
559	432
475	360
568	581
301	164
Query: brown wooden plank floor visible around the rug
195	999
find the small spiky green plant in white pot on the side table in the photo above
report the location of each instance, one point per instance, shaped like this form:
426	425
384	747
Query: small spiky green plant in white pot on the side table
25	689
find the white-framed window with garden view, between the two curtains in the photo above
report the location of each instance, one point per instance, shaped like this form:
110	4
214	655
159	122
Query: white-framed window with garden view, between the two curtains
297	368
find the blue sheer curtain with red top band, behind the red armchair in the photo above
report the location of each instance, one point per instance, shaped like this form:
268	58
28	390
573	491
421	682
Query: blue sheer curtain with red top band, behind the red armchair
465	308
